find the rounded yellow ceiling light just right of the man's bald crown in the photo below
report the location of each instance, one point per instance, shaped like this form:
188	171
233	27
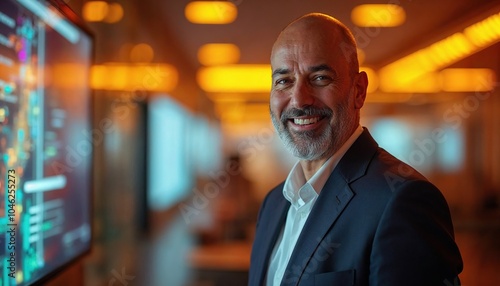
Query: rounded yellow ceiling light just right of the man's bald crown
378	15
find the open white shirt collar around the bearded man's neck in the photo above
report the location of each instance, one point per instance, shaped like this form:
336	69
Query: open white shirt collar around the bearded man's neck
299	192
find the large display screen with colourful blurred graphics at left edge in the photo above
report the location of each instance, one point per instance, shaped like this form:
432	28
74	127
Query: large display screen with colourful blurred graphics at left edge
45	141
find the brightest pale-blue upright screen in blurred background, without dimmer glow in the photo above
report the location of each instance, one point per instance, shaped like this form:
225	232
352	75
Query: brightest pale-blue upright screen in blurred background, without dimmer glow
170	176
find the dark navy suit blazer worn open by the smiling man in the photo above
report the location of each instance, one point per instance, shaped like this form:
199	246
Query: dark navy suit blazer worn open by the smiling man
377	221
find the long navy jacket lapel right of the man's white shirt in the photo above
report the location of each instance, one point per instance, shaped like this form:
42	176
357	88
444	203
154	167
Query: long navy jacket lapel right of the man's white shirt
334	197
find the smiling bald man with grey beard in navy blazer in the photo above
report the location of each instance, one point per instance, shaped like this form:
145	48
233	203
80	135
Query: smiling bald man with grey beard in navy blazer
349	213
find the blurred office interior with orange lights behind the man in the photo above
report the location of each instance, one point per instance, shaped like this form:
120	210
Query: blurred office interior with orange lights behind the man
185	151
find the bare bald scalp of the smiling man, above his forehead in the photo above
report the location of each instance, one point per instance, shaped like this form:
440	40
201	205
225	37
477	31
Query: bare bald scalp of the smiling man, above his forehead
317	28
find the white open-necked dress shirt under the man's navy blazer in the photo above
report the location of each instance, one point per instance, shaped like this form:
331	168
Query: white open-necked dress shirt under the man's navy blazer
302	195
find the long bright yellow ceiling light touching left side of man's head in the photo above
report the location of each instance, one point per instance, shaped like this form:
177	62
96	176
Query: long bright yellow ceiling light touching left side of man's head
235	78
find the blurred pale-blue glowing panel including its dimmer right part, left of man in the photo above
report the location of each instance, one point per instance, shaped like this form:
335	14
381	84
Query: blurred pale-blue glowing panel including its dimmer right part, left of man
176	139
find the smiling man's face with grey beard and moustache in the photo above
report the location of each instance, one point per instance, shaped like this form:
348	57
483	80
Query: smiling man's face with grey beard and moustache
312	96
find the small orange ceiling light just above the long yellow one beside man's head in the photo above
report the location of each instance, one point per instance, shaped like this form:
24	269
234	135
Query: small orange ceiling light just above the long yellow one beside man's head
218	54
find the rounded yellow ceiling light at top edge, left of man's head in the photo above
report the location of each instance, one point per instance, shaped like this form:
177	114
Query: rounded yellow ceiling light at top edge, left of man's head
211	12
